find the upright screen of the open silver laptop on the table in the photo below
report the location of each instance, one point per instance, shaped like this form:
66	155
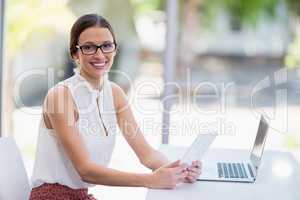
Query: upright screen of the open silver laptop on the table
259	143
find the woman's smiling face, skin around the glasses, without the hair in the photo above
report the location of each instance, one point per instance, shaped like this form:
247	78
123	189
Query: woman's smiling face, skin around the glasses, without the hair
96	65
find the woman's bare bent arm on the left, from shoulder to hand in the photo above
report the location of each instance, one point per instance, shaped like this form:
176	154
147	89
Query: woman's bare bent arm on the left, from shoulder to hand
59	109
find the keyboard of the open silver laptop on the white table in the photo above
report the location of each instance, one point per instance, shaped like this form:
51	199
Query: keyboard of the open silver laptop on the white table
234	170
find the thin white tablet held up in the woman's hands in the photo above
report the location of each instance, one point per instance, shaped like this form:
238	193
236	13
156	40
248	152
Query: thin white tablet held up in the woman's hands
198	147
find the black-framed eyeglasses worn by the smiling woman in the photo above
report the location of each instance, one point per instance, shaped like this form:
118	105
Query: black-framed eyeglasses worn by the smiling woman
91	49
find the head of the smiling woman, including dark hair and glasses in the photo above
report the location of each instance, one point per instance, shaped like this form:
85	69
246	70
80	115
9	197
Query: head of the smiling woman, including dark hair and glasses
89	39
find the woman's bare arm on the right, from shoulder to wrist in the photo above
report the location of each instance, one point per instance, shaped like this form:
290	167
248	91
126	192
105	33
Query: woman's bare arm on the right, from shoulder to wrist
148	156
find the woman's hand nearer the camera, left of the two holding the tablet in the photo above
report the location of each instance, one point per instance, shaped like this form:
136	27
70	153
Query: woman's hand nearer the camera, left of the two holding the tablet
168	176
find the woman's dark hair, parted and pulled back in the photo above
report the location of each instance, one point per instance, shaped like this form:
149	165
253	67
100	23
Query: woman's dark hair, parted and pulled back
84	22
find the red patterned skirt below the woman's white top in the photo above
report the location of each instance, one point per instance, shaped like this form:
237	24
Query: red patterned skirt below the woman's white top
59	192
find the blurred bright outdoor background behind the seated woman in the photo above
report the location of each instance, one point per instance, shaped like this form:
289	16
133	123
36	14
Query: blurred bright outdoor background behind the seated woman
236	59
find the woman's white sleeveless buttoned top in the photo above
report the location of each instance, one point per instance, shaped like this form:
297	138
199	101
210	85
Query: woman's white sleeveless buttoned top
97	127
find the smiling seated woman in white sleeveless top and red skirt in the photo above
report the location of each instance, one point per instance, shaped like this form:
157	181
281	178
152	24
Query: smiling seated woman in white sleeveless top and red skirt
78	128
